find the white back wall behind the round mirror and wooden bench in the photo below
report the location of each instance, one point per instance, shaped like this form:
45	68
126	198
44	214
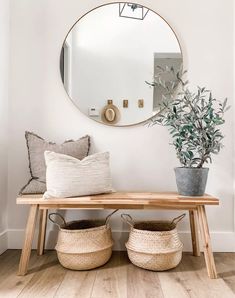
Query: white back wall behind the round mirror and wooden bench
141	158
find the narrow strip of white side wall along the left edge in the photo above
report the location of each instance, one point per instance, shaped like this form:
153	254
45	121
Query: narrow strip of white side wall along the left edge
4	49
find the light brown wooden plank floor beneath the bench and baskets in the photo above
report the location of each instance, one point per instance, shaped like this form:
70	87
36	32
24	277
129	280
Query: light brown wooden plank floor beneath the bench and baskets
118	278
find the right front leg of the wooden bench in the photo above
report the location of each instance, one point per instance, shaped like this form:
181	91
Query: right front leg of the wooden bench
208	254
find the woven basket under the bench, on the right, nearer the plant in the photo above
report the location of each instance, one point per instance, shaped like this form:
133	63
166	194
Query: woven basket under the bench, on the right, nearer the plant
154	245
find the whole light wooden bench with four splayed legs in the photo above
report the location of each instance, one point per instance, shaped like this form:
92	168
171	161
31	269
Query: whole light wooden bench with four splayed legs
121	200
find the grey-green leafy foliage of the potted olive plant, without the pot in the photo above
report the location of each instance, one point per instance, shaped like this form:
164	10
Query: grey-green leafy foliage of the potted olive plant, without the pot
192	118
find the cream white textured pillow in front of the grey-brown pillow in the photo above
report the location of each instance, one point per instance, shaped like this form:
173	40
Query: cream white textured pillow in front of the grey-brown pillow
67	176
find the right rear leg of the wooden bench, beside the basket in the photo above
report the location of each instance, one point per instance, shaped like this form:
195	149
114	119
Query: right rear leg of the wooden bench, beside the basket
193	217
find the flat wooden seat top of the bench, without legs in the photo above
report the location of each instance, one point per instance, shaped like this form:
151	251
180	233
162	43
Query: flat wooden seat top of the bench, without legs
122	199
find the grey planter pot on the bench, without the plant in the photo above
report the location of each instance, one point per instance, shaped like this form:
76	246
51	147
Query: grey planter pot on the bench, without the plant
191	181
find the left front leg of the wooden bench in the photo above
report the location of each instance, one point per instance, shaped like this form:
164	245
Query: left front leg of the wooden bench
29	232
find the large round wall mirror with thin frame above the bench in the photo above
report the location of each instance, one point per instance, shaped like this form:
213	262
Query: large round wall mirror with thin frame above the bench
108	58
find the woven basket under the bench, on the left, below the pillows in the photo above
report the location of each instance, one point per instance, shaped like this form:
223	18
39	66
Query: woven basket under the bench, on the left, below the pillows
83	244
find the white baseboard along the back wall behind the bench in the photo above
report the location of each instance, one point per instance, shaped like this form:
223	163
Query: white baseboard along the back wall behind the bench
221	241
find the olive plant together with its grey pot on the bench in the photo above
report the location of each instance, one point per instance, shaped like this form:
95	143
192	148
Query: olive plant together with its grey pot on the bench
193	119
